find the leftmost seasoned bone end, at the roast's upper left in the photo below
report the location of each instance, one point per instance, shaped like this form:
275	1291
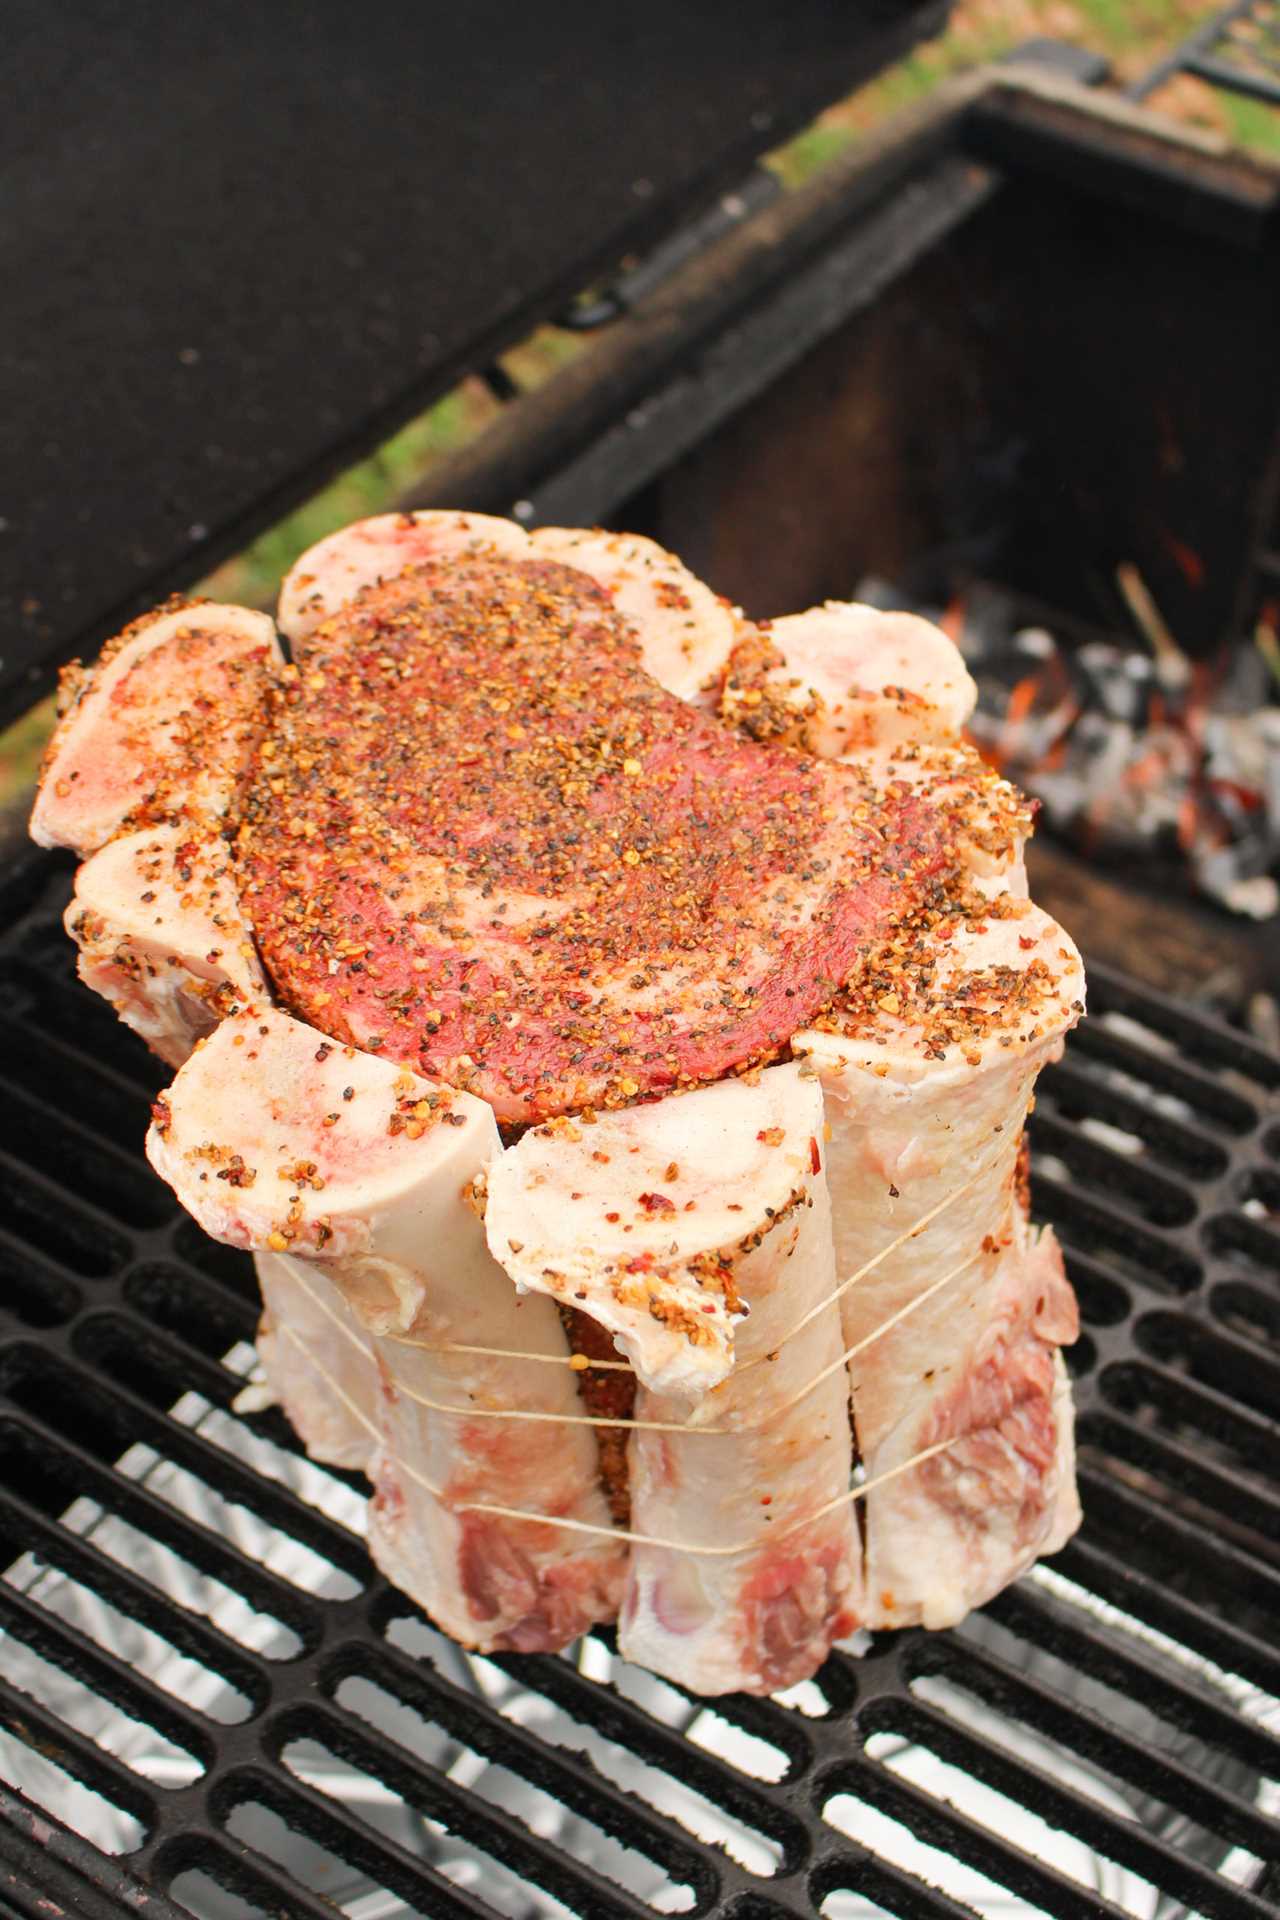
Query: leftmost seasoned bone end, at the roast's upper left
160	729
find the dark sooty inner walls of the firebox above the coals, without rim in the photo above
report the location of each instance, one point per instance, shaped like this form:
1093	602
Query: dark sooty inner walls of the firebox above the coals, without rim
1064	385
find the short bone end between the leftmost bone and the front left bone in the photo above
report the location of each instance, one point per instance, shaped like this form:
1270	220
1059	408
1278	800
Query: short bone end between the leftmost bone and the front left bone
158	923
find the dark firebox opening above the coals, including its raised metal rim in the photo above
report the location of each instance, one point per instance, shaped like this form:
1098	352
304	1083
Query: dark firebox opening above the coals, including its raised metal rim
1030	343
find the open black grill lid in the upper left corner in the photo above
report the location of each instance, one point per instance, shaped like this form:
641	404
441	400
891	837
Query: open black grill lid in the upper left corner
245	243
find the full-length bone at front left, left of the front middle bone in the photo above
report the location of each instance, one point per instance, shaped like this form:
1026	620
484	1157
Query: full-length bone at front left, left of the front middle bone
275	1138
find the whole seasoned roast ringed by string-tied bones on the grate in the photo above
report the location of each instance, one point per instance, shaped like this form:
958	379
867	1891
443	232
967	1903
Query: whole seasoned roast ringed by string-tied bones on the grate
611	1026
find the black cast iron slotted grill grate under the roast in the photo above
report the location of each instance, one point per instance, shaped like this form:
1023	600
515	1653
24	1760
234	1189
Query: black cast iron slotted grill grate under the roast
210	1700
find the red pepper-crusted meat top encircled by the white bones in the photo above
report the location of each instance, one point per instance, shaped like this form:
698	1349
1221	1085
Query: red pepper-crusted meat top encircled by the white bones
483	840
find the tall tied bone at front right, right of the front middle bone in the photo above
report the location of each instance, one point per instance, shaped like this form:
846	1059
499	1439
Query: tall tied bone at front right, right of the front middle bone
930	1080
